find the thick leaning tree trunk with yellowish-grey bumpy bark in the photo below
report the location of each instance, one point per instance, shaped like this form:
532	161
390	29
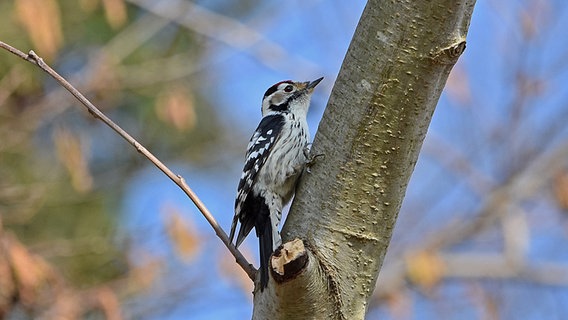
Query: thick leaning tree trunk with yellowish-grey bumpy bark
371	134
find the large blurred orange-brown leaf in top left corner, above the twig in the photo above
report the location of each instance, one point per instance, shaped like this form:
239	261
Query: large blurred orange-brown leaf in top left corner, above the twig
42	21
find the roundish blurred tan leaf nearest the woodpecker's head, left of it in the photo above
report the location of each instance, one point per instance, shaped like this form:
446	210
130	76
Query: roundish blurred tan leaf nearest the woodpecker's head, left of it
175	106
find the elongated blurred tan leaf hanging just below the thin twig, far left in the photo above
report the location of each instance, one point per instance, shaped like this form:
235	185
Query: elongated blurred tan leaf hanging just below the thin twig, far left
70	153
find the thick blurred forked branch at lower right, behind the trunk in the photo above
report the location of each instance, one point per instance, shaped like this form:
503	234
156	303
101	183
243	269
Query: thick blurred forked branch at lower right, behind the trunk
495	207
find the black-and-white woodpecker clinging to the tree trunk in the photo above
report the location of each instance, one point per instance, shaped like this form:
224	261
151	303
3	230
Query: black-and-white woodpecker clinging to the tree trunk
276	156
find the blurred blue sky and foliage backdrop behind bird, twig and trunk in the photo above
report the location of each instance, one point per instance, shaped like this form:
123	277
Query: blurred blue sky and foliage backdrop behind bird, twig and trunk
90	229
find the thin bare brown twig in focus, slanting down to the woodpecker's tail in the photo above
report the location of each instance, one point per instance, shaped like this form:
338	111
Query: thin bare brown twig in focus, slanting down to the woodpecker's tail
177	179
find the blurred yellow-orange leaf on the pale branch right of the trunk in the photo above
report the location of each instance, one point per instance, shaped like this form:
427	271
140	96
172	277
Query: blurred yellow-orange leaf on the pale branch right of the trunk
425	269
